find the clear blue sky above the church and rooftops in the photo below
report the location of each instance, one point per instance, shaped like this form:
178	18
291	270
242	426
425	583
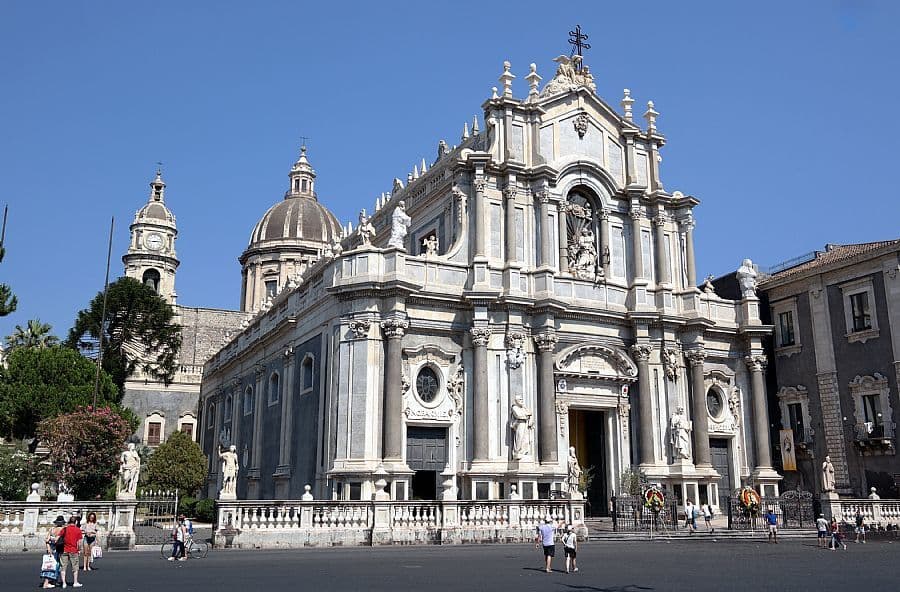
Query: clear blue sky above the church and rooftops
780	116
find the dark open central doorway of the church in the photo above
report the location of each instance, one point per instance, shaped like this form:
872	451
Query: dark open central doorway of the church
587	433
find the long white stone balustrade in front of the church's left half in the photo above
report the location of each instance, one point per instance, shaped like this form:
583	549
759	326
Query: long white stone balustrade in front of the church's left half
292	524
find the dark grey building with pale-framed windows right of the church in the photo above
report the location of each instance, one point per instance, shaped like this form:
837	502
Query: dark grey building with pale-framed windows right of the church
837	359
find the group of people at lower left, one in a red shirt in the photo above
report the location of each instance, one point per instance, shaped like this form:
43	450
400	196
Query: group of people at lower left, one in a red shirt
70	543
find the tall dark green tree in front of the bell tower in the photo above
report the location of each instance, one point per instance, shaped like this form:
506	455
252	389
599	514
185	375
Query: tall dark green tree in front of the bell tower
141	333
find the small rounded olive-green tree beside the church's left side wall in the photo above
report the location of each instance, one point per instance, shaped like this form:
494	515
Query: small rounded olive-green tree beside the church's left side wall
178	463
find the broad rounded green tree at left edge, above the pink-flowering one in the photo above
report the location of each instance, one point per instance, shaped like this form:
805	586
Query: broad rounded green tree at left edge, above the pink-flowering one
39	383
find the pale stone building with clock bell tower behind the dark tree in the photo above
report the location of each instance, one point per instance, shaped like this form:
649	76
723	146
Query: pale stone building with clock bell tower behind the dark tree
151	258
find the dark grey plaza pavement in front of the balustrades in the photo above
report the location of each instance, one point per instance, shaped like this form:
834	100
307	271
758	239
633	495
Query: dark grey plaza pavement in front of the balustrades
605	567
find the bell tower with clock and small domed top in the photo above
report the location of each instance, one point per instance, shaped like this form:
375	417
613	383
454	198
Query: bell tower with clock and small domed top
151	257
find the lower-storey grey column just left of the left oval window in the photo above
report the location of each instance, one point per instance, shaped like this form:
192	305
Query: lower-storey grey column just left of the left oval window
392	412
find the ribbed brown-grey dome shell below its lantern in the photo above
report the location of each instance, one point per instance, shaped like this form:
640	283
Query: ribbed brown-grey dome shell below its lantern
294	221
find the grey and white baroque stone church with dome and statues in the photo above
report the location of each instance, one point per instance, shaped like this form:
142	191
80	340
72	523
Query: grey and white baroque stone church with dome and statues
532	289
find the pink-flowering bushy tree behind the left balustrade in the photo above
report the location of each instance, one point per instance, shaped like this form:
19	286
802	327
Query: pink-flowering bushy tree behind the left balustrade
84	448
